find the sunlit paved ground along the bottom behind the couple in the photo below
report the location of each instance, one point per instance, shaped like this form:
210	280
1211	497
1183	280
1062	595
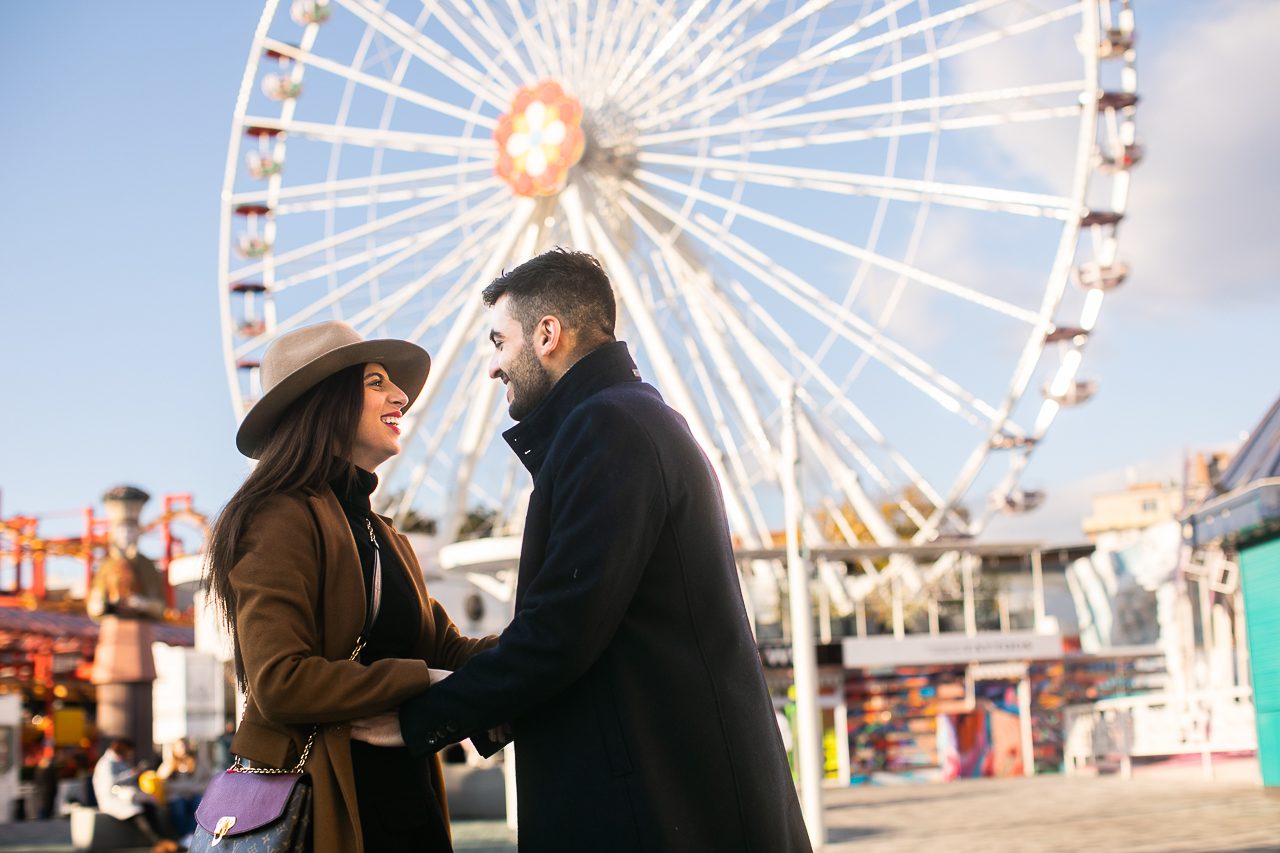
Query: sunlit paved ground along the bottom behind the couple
1169	810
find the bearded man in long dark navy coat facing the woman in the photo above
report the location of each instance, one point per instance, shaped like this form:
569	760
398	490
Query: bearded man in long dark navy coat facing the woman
629	672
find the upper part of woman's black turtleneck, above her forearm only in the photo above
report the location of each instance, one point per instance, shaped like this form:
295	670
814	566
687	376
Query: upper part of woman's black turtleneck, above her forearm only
400	619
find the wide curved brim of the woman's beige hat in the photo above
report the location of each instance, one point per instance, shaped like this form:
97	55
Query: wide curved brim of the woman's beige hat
408	366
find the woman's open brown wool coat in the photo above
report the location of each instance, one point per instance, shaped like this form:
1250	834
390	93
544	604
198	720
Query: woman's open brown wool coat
300	606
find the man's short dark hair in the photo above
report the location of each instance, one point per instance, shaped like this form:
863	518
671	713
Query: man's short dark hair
568	285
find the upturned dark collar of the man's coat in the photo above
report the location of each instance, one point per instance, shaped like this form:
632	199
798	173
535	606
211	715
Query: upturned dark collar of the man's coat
601	368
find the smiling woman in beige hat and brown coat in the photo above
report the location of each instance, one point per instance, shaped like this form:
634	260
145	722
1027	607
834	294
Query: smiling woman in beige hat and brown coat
294	572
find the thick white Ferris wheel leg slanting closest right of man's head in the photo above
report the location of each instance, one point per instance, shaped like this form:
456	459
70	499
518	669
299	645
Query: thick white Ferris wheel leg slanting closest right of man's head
591	232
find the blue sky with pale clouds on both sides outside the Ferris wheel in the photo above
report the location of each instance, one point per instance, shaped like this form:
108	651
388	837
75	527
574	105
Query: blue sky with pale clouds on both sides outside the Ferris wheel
117	130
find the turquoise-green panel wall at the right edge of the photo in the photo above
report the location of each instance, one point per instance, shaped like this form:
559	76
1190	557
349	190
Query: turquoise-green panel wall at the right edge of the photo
1260	574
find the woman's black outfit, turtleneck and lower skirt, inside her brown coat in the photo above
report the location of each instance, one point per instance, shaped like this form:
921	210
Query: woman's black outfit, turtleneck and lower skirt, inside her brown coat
399	811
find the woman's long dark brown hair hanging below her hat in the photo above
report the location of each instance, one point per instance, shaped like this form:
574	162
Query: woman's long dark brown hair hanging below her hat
309	446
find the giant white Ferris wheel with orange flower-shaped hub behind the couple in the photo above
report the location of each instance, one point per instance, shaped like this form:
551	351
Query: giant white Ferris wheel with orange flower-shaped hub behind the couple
906	211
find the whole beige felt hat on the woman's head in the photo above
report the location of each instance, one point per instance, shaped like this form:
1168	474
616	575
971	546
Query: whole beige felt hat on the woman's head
299	361
